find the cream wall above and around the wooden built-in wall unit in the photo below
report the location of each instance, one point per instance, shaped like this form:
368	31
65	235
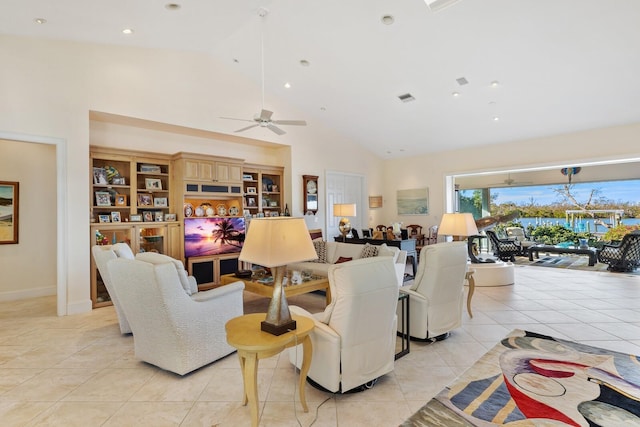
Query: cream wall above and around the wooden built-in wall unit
49	87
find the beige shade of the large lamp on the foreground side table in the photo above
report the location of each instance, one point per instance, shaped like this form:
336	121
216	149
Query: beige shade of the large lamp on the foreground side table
273	242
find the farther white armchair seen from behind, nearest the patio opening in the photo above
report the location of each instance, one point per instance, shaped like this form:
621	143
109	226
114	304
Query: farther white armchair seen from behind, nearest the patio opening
436	295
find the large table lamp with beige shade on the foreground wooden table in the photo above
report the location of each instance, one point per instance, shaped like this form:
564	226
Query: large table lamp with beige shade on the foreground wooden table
274	243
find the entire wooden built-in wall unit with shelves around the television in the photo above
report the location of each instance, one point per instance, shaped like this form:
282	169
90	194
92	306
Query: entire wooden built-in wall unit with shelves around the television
184	185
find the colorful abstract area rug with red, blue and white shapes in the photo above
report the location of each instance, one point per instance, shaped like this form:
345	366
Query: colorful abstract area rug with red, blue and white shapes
535	380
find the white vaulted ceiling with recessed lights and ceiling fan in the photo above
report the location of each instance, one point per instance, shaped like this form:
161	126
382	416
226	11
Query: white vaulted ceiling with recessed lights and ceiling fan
520	68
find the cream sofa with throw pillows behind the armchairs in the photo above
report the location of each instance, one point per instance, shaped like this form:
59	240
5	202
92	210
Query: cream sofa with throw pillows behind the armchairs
330	253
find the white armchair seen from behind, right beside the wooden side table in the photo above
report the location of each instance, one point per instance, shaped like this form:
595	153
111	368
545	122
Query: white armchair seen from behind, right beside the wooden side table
354	338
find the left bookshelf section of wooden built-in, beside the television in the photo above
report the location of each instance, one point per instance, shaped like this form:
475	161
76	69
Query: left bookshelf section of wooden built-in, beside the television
130	202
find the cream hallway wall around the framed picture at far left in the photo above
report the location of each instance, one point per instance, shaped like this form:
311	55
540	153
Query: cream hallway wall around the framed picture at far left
29	268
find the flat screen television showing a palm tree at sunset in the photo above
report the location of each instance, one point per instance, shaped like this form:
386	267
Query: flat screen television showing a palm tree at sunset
213	236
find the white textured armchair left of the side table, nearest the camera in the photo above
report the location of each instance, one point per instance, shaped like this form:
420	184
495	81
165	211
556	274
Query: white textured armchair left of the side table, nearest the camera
170	329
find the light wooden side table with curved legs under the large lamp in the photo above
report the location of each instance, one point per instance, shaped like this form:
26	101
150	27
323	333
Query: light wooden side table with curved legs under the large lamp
253	344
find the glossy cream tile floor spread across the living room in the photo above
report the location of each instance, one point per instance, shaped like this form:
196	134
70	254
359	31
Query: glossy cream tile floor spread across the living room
79	370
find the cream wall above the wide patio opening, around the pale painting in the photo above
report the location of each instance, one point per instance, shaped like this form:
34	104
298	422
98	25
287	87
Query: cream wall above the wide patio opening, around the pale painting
561	150
